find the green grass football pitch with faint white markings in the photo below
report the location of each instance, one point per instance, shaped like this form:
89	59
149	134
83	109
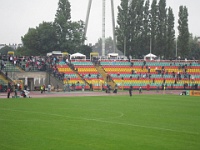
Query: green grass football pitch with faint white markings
141	122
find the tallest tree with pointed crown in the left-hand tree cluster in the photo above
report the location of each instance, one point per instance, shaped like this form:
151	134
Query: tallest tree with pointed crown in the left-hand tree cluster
69	34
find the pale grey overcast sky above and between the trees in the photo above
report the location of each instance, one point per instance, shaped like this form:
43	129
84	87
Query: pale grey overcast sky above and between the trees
17	16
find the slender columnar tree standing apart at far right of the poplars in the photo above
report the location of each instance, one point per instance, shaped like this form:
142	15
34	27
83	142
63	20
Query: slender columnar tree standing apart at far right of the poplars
183	37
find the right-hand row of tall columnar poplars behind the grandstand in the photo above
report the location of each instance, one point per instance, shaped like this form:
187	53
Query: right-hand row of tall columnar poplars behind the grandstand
144	27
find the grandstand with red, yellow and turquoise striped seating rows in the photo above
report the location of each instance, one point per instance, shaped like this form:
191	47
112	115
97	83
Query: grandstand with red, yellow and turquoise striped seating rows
100	73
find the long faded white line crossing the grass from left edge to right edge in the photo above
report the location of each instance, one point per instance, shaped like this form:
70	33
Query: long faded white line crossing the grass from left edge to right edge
110	122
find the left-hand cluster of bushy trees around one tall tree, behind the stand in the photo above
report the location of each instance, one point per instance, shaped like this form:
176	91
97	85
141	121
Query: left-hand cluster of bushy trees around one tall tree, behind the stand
62	34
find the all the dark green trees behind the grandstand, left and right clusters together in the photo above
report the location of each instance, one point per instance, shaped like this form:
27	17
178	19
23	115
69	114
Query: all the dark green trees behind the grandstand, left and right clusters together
142	27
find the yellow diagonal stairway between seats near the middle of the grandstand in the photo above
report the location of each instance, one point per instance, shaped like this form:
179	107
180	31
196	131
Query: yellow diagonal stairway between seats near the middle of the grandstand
104	76
